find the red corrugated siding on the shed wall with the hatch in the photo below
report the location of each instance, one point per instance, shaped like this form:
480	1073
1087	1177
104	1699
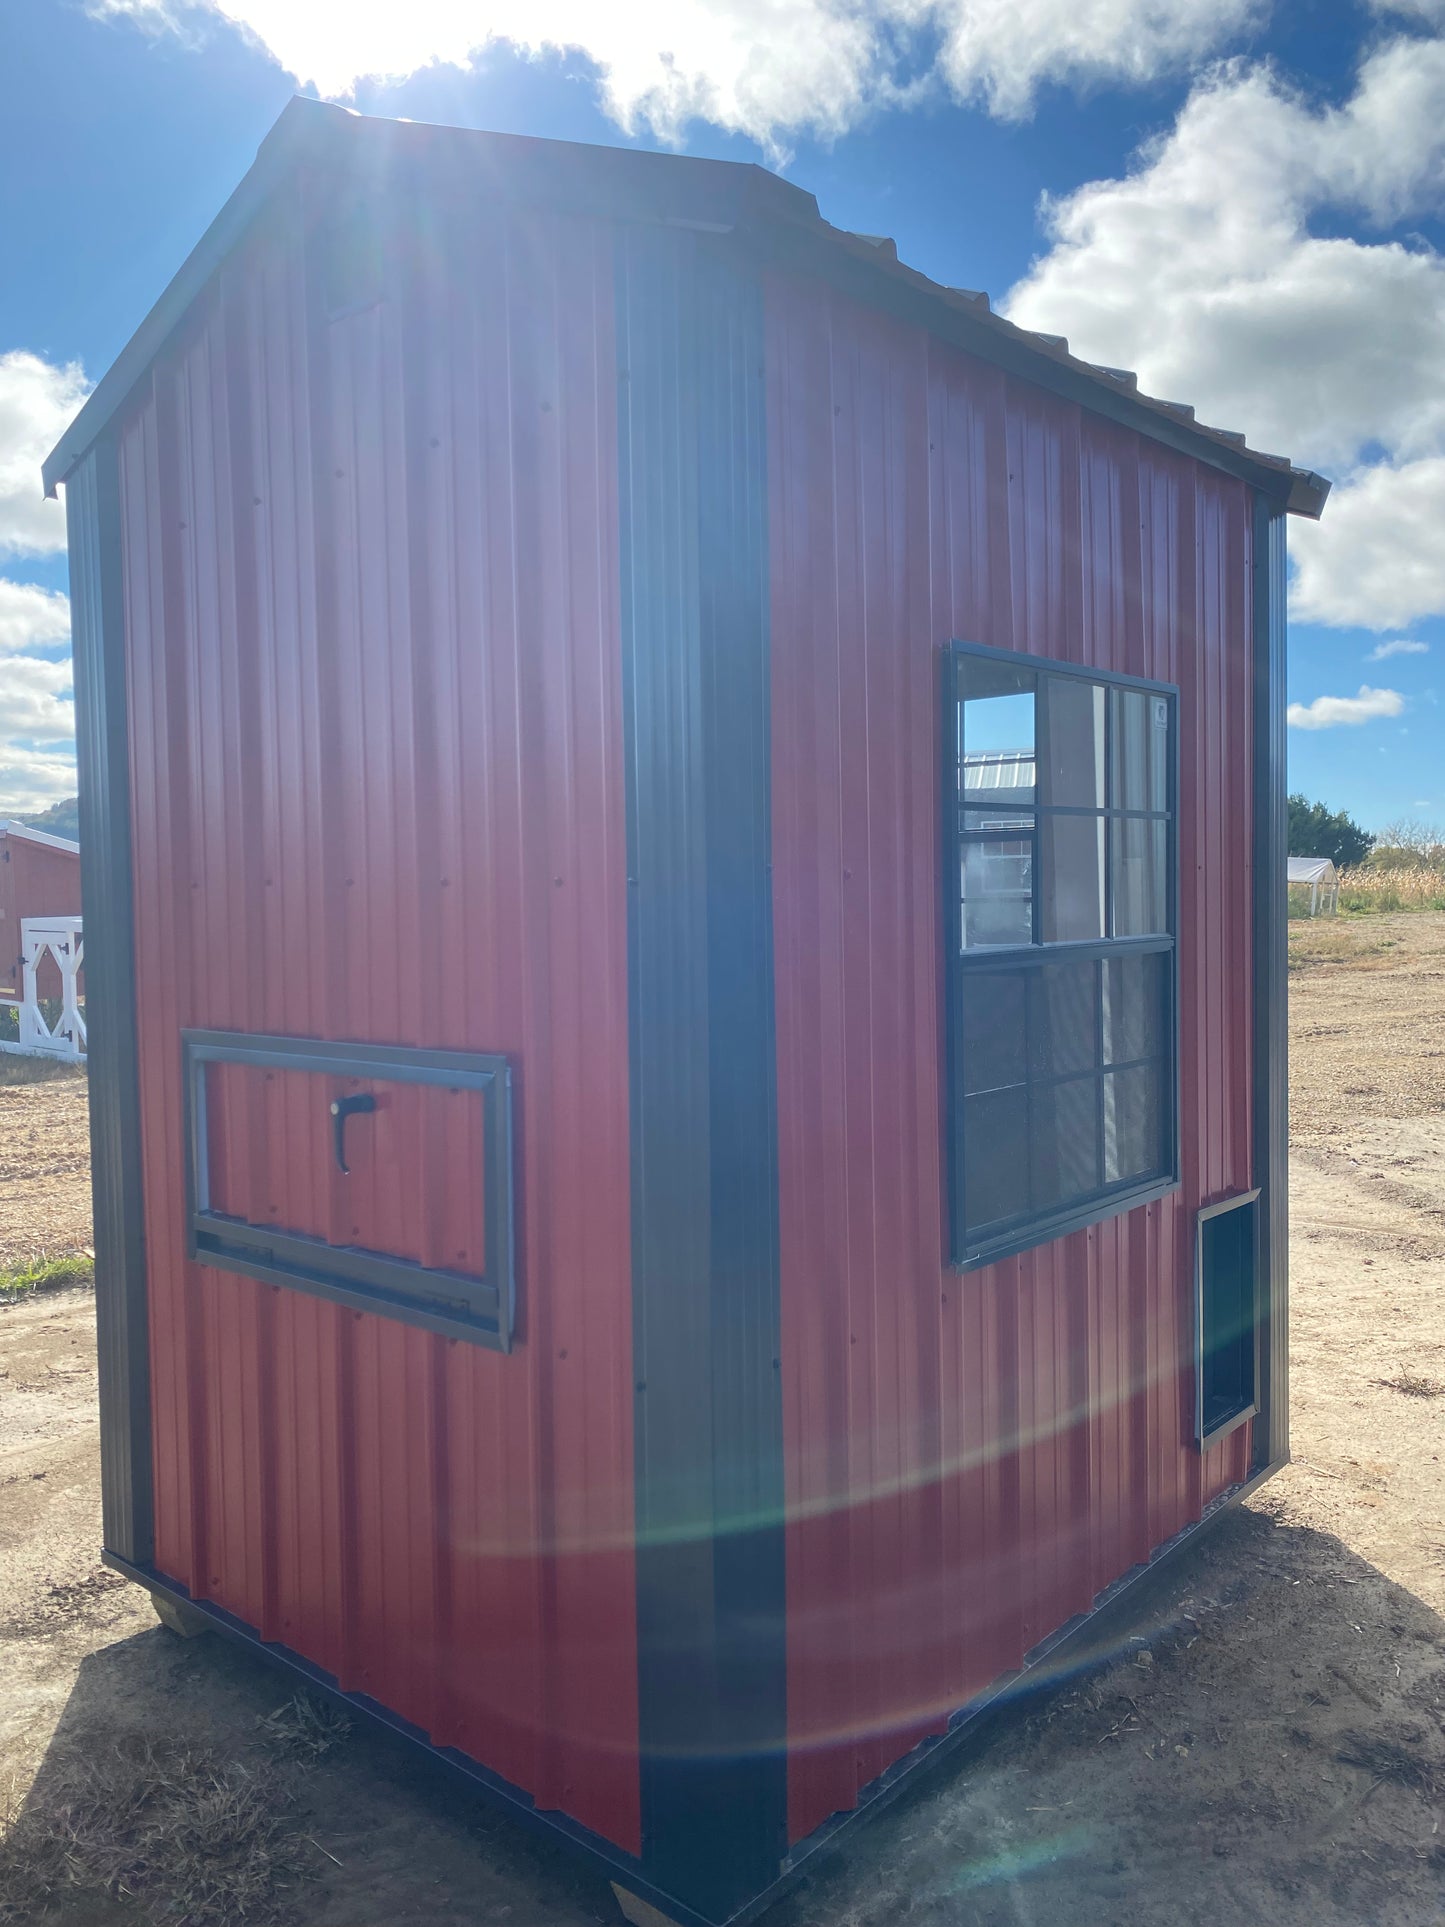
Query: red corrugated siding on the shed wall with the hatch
371	575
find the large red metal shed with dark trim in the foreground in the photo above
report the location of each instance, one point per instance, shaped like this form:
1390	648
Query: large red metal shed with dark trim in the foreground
695	1178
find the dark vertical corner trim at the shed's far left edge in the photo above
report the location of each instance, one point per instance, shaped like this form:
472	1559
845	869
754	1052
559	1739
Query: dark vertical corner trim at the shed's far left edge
107	897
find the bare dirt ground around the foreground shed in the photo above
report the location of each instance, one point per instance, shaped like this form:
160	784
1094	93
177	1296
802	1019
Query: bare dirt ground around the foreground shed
1267	1741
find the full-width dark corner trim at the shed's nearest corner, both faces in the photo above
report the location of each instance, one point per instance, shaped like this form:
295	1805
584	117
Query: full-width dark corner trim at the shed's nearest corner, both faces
693	531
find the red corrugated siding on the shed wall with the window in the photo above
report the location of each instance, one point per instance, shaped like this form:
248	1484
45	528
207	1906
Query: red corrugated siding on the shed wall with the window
970	1458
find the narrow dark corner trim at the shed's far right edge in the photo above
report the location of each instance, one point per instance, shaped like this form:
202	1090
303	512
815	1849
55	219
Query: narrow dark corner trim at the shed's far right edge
1271	982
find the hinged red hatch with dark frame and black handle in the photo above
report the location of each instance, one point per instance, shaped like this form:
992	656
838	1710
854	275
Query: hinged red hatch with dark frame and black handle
371	1175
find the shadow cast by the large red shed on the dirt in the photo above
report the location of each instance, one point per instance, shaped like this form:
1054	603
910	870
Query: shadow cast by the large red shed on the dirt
1267	1741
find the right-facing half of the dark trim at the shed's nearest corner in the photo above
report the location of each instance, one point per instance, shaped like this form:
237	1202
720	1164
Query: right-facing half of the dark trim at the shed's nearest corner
749	1496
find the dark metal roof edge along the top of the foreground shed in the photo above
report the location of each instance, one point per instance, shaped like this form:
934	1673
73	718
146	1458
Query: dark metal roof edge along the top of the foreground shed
777	219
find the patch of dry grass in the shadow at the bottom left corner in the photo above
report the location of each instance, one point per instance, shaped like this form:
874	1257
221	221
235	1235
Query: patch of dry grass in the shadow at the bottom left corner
196	1839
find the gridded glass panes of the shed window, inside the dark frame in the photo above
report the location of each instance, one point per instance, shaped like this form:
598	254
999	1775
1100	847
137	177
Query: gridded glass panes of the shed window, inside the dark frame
1064	837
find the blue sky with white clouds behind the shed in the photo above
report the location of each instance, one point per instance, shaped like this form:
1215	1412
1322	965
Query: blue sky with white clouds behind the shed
1246	203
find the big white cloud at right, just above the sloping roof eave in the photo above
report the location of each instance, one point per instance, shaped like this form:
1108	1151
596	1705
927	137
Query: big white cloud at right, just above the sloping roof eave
1203	273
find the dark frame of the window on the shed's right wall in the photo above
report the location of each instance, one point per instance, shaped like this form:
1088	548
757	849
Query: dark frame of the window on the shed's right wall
972	1254
